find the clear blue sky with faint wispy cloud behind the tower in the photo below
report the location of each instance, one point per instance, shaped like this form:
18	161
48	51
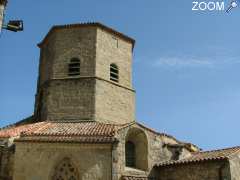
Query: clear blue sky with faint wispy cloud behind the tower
186	63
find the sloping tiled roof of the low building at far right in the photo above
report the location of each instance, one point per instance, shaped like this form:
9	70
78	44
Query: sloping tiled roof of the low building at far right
221	154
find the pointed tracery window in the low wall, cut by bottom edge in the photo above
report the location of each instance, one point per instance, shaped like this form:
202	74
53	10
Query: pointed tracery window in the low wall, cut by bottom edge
65	171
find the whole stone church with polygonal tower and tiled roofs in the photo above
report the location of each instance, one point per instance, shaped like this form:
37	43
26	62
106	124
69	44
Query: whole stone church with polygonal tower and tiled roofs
84	126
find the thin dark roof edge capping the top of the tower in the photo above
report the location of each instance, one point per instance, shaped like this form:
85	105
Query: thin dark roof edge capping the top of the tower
88	24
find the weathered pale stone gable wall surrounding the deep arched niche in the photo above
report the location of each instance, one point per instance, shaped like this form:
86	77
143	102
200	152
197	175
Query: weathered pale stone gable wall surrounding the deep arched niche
154	154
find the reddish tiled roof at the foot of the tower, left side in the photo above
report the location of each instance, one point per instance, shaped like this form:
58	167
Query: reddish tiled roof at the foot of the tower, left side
63	131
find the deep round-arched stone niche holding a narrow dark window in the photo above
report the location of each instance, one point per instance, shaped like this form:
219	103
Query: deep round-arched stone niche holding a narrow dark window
139	143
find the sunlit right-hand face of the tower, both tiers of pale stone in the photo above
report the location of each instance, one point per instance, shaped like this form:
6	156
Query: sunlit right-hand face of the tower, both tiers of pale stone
114	103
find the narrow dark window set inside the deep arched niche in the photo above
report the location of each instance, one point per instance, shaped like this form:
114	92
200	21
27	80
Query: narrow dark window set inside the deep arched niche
130	154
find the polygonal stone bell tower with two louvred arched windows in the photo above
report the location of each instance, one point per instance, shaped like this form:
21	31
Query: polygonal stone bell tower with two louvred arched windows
85	74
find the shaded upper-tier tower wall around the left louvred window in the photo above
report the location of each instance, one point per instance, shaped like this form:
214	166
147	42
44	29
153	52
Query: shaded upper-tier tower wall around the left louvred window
75	43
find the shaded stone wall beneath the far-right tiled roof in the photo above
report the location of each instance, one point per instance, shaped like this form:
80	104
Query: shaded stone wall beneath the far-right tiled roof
211	170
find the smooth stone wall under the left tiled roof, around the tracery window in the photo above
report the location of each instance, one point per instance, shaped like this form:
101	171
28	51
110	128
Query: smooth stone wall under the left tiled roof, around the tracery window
38	160
